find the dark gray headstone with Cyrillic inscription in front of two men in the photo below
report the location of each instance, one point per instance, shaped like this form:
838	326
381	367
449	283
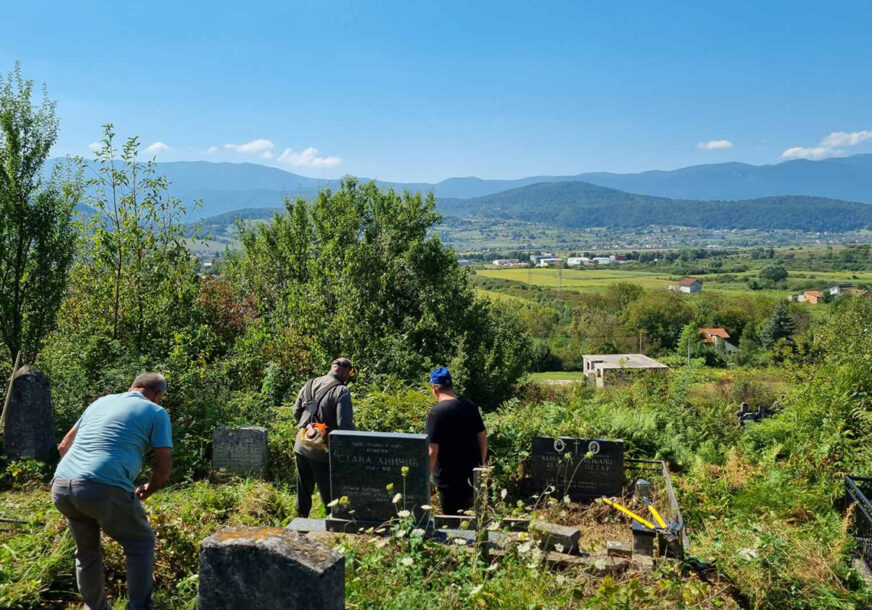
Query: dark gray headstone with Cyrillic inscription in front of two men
363	464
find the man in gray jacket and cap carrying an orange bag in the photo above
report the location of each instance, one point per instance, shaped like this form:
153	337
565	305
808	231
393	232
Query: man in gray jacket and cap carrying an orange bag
323	404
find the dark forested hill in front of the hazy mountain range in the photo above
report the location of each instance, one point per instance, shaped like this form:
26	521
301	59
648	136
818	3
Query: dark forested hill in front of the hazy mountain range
580	204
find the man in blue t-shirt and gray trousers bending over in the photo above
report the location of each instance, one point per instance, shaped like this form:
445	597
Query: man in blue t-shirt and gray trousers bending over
94	485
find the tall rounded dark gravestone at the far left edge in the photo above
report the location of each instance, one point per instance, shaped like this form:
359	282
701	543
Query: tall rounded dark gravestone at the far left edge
29	429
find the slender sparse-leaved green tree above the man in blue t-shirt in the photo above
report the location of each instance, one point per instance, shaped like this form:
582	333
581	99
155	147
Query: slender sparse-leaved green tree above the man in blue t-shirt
135	283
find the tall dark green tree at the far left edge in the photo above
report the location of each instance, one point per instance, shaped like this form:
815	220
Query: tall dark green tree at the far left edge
37	239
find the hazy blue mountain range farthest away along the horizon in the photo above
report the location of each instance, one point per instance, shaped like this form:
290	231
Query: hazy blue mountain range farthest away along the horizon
224	187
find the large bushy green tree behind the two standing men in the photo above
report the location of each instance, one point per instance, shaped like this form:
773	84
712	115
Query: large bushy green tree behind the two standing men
357	273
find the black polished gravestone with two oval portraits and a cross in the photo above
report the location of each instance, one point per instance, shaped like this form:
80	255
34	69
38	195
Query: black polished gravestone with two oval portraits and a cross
583	469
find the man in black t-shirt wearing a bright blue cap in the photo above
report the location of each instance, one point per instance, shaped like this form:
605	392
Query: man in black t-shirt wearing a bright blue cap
458	443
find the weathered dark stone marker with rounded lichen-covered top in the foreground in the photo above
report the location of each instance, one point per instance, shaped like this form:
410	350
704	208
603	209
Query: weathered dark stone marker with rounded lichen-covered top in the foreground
269	568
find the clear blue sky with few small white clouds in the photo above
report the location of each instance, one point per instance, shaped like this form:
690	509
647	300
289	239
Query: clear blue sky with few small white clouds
422	91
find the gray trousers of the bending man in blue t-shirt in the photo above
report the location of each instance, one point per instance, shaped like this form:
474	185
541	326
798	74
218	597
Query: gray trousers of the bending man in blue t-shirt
89	507
